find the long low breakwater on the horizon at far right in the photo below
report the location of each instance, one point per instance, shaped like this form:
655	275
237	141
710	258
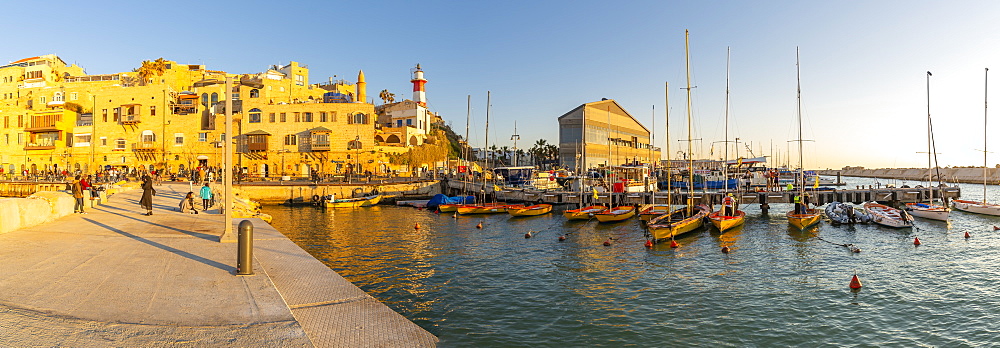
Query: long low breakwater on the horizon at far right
963	175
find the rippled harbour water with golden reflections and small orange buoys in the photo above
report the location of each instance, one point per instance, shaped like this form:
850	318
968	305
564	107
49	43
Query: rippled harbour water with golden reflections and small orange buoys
777	287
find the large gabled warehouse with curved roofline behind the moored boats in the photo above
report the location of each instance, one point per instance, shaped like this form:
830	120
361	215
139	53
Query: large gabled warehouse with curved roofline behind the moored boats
602	133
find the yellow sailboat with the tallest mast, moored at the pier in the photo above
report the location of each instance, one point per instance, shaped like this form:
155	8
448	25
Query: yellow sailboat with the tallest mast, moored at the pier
689	218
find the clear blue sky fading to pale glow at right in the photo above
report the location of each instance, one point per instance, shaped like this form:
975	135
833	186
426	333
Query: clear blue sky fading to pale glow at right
864	86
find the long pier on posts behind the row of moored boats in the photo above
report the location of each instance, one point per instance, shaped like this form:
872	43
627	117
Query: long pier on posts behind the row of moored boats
892	195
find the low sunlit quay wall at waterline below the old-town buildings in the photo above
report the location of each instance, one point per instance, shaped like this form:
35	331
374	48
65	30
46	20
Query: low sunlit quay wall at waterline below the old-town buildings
303	192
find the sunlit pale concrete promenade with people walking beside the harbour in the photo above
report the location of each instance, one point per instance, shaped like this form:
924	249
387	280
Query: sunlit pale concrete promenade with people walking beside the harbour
115	277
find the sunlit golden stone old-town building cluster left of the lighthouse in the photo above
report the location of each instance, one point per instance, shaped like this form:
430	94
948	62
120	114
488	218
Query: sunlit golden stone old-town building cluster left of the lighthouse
170	116
